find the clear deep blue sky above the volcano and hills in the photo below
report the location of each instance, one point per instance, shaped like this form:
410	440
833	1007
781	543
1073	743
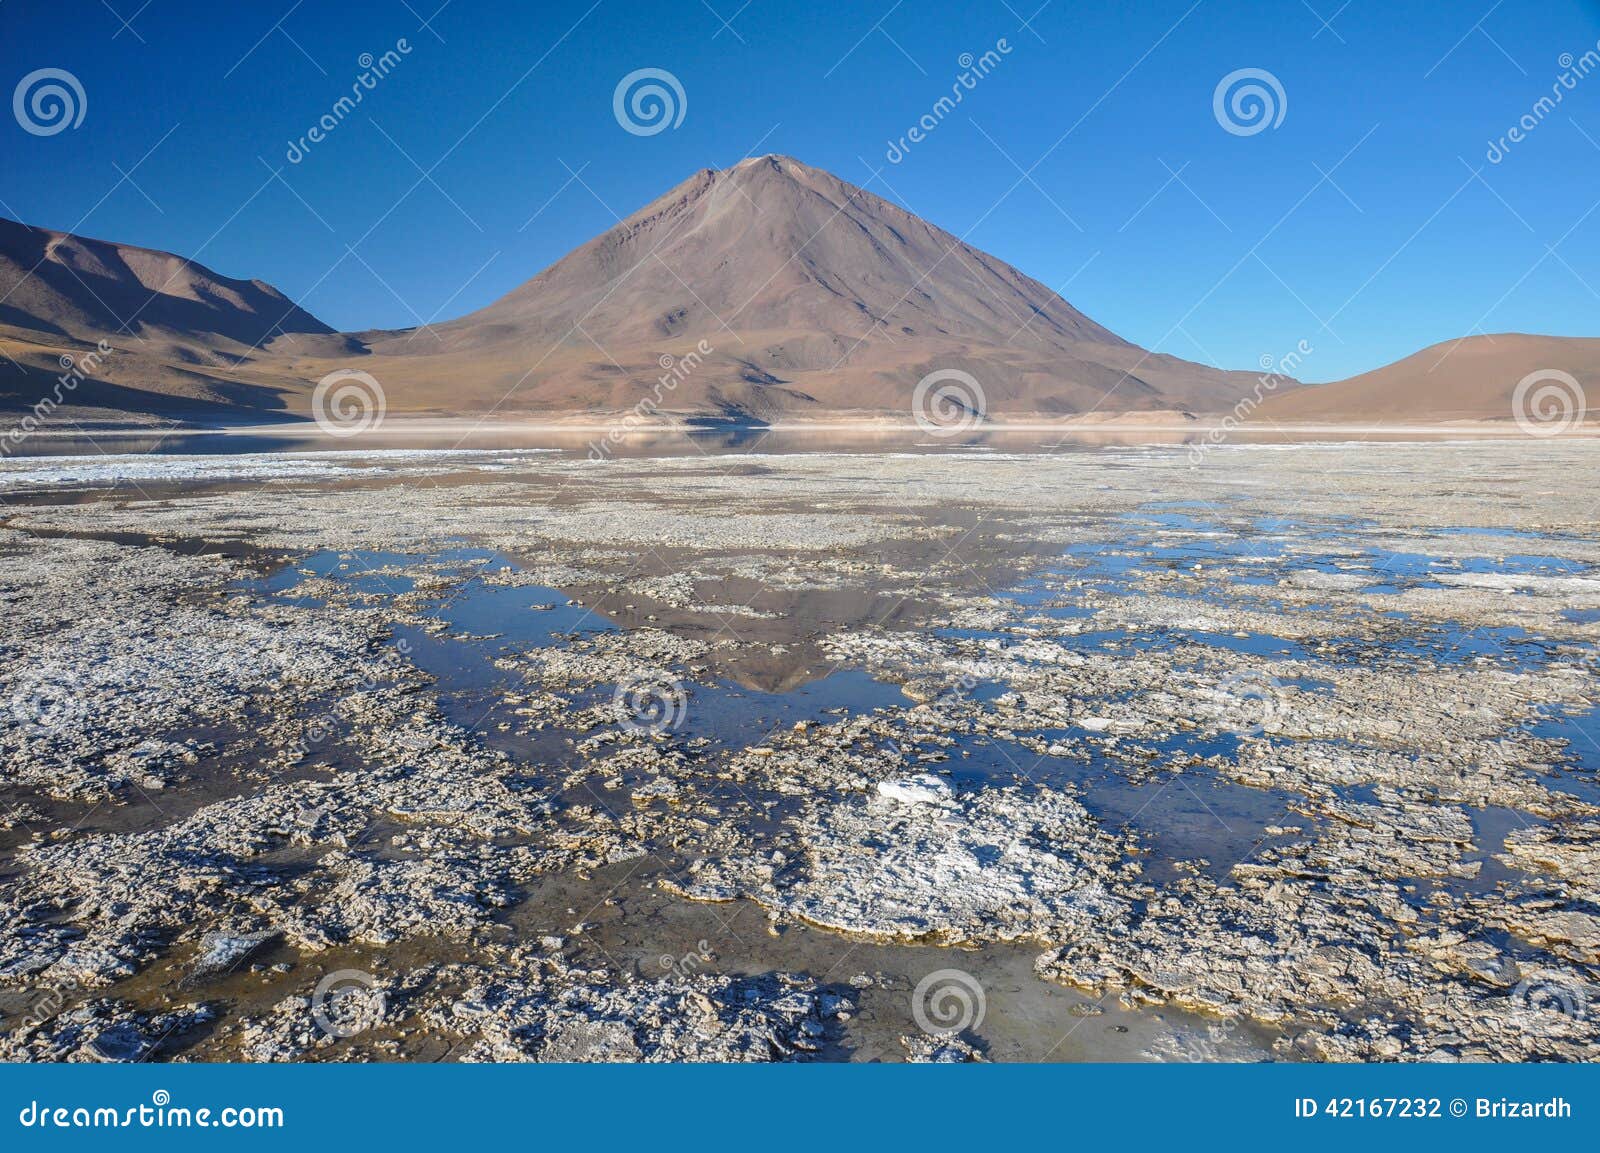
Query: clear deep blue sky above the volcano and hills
1241	255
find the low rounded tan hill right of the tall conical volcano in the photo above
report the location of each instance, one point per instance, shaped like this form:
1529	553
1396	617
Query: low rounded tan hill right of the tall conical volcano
1470	380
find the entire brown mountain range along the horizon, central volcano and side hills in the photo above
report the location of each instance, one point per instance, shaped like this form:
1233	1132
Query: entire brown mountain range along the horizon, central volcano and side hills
815	300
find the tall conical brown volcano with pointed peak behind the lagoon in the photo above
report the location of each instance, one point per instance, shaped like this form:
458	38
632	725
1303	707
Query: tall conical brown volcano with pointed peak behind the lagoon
817	298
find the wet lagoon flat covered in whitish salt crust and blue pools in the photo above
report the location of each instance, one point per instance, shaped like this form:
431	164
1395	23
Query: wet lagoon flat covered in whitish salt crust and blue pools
954	754
